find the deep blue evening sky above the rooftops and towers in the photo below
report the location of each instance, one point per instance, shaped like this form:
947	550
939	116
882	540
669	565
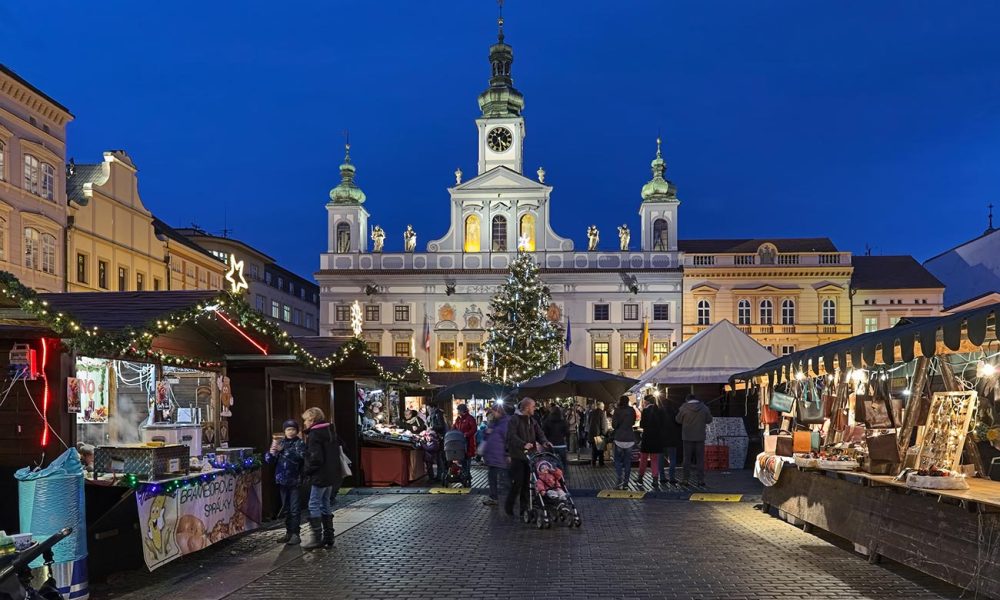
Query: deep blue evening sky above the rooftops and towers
869	122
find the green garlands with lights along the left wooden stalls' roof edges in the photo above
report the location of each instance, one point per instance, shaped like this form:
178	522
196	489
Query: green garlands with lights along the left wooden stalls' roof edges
131	343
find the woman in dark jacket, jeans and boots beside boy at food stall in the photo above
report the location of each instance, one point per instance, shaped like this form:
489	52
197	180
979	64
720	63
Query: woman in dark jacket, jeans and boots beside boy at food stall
323	472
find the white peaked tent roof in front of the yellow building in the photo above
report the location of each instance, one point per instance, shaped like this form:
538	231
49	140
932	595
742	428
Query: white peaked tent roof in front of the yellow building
711	356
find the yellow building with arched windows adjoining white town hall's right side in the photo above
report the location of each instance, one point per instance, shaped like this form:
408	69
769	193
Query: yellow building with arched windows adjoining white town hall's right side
788	294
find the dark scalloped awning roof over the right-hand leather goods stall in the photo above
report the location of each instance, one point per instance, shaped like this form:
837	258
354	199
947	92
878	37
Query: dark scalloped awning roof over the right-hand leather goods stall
960	332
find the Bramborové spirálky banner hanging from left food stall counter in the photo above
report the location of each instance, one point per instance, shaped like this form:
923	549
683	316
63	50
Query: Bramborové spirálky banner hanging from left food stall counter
198	516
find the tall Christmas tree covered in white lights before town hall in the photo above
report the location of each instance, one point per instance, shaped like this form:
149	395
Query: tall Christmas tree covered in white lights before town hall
523	342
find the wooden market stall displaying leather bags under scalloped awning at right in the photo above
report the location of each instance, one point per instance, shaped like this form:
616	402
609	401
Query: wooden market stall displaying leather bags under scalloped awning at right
890	439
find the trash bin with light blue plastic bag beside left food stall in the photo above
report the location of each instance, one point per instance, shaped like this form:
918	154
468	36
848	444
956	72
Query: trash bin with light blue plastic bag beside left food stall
49	500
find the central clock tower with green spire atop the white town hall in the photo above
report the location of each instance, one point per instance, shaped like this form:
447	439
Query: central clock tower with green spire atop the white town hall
501	126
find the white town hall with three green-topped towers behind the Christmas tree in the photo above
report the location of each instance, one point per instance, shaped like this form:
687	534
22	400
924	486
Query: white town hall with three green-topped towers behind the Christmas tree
432	301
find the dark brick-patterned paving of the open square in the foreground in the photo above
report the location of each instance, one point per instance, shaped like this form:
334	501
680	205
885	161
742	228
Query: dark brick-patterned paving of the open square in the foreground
454	547
